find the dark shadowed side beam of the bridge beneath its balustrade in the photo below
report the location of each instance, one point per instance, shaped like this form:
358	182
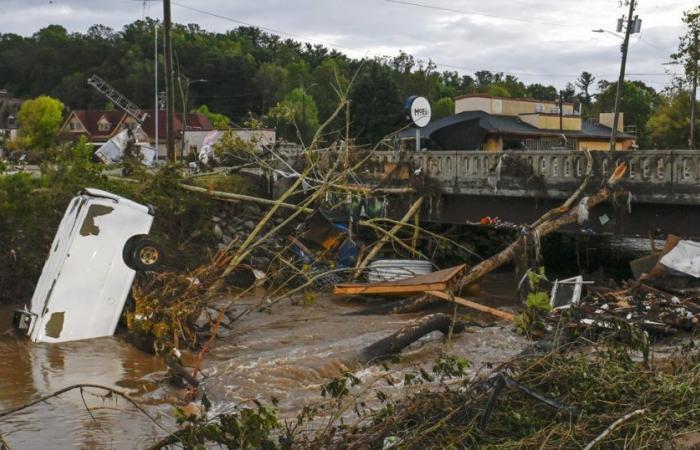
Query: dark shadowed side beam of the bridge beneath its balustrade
645	218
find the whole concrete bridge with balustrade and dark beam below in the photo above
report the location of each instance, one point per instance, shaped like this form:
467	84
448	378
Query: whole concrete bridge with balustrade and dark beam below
518	186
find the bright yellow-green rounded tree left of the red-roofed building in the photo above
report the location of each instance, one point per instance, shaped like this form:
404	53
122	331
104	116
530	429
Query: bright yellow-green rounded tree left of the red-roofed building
39	120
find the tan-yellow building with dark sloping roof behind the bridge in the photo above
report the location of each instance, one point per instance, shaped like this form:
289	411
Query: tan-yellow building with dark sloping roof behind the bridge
484	122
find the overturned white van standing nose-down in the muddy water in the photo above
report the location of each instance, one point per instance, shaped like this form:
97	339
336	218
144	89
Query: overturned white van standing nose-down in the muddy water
100	244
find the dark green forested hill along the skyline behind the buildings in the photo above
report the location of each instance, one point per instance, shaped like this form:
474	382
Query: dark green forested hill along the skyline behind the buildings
247	71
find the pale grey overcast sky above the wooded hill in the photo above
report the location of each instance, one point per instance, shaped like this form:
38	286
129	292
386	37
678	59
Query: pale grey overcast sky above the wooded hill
548	41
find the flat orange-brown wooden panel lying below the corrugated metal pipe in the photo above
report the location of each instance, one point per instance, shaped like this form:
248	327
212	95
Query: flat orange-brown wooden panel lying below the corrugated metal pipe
439	280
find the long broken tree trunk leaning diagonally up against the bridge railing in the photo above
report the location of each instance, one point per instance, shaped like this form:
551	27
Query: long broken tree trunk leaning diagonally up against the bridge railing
548	223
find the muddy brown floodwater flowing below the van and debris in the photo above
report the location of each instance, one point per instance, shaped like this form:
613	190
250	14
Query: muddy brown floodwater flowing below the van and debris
288	353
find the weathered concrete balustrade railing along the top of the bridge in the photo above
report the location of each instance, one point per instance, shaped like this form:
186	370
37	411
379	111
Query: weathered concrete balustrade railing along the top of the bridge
666	176
